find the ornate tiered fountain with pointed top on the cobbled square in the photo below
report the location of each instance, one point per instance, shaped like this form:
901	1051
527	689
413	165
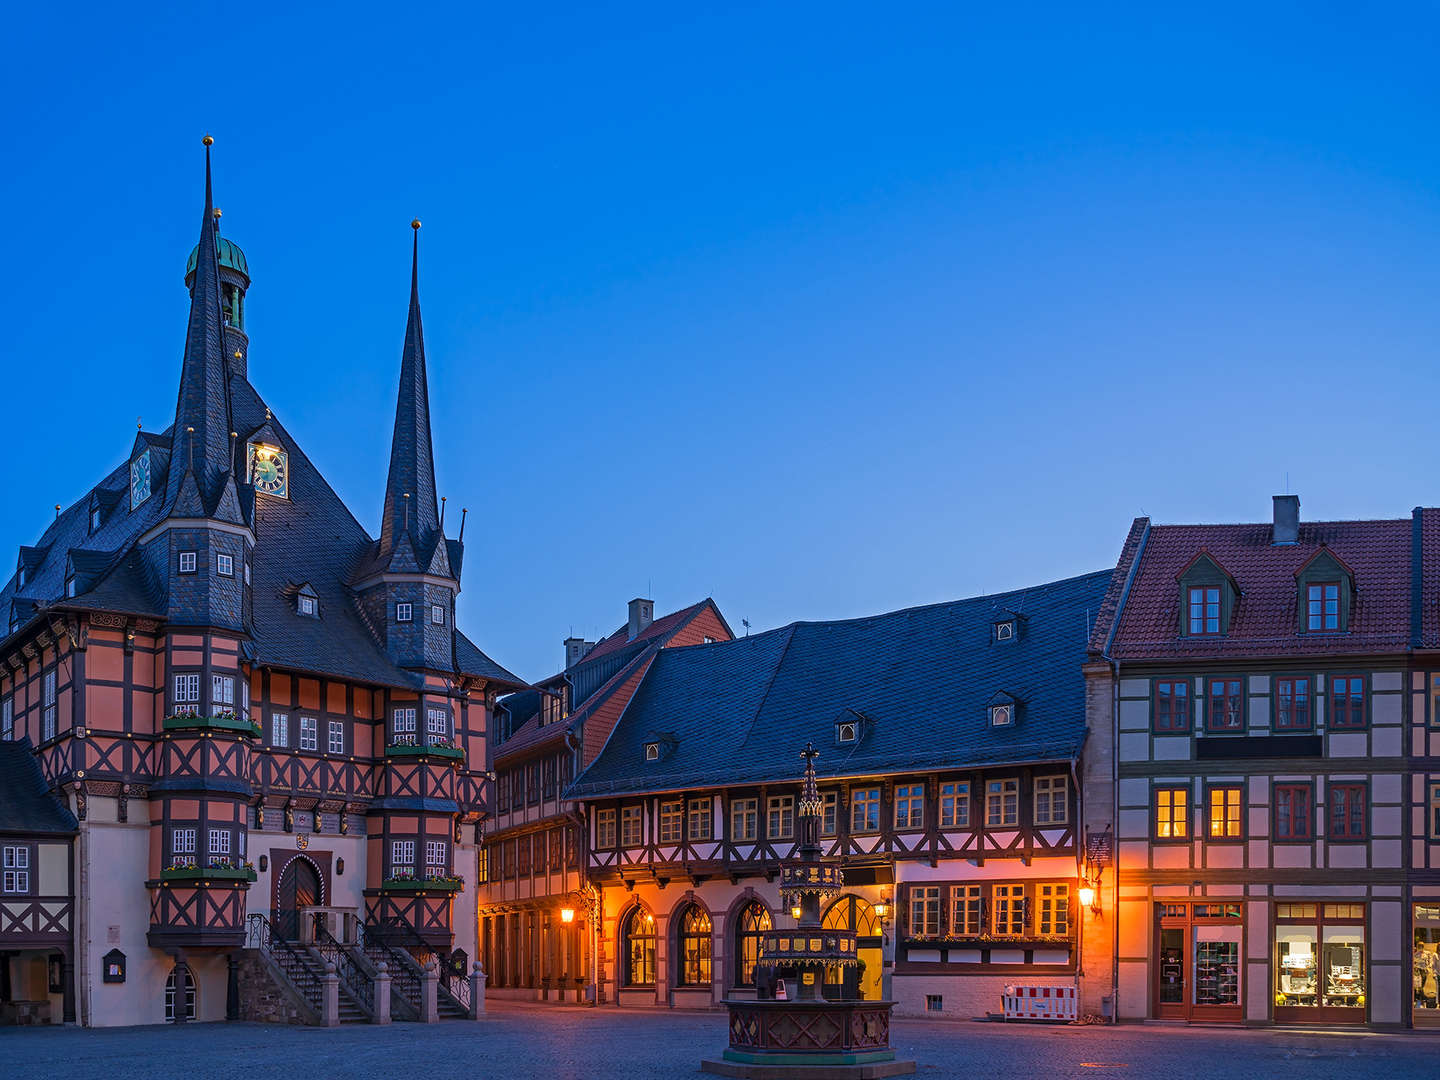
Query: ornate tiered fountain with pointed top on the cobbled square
807	1033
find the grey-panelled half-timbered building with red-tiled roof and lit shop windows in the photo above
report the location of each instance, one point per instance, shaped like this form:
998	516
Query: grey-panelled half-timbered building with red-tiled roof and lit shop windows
1264	703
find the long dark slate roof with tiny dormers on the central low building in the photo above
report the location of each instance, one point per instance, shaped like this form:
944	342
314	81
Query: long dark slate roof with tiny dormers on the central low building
921	679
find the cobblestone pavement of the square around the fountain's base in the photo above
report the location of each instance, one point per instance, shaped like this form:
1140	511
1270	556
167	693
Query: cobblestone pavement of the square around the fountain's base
562	1043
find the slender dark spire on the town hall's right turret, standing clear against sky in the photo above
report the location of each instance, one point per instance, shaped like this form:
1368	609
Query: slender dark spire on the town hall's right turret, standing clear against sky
410	490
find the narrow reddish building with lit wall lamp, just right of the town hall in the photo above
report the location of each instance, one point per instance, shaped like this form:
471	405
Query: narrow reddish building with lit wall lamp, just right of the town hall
536	924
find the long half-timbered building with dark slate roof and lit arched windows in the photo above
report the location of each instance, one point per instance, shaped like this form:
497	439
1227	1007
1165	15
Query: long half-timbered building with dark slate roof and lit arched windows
950	747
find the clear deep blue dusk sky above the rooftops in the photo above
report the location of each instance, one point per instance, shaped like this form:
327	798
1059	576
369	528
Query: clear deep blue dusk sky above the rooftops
823	310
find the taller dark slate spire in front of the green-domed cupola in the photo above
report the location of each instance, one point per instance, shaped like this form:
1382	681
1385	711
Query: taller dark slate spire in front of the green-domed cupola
204	404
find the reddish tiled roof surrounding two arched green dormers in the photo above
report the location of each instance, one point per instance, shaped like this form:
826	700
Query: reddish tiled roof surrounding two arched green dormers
1266	617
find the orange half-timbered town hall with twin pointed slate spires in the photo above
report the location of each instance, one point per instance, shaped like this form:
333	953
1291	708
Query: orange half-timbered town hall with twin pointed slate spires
257	712
